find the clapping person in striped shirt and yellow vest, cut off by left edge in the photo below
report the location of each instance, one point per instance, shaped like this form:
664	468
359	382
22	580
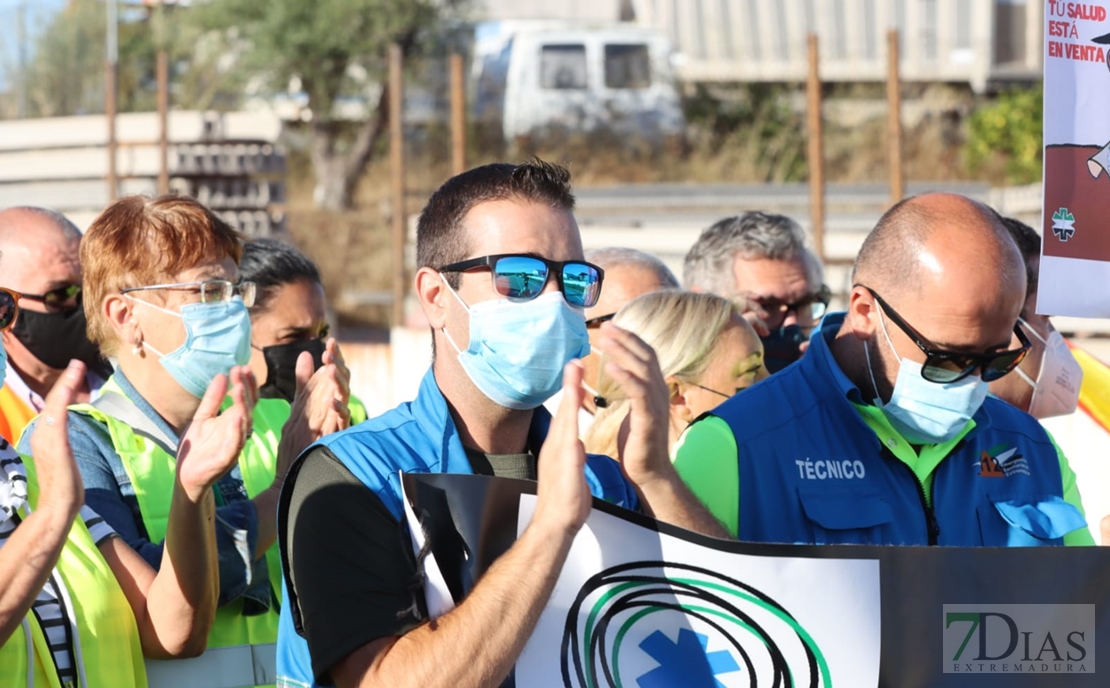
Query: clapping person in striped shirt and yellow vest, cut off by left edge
78	606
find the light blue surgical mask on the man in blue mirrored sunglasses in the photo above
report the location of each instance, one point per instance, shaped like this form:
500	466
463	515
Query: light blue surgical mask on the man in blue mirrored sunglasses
519	349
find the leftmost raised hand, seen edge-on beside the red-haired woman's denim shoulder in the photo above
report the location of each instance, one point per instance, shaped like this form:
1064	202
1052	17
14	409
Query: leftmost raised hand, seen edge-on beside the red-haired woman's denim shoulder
60	483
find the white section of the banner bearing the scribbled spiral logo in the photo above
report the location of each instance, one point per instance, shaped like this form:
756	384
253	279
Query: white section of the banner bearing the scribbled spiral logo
634	609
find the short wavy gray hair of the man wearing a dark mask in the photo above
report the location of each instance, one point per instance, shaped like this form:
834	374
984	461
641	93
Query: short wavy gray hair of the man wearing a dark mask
709	265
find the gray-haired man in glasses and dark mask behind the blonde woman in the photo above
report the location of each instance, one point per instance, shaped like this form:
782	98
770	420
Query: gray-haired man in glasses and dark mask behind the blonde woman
762	260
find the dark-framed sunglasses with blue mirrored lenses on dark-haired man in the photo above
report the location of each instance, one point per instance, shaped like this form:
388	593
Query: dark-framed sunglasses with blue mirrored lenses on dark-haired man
522	277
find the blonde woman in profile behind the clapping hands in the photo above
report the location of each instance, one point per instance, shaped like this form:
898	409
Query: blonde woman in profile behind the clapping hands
707	350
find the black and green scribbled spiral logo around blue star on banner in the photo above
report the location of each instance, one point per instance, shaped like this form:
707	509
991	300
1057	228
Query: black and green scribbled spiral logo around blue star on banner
621	633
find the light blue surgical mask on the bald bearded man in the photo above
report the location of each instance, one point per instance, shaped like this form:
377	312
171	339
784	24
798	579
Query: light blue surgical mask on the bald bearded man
926	412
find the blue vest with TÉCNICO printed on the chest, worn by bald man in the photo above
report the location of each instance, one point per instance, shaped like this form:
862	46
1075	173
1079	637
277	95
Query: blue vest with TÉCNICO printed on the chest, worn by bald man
812	471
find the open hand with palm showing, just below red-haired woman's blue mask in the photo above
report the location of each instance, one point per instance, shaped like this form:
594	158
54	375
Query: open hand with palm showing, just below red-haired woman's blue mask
214	440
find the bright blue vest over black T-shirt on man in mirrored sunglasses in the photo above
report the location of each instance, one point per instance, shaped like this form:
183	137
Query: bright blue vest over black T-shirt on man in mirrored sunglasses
418	437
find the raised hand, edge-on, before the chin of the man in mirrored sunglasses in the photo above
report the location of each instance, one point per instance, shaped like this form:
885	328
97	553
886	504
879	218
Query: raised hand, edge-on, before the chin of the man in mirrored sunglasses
563	498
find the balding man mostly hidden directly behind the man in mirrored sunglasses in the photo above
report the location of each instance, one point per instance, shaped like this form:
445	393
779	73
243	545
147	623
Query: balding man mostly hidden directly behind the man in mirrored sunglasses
629	274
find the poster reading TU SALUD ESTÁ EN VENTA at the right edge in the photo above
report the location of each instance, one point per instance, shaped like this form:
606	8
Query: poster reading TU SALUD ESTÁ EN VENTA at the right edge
1075	270
